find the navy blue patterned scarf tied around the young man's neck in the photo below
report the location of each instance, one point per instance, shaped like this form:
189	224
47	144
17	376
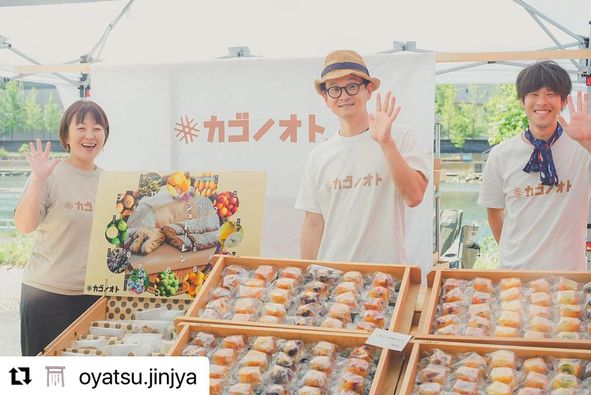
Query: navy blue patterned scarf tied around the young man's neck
541	159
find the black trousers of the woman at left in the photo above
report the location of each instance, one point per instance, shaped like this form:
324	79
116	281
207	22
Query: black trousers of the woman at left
44	315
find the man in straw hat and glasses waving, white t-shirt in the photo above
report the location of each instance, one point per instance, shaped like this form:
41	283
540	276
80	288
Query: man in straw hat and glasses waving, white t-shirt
356	184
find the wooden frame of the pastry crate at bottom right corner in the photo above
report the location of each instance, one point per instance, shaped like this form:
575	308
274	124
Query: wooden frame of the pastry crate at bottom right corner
421	346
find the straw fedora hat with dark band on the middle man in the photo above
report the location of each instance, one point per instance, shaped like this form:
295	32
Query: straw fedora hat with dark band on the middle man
341	63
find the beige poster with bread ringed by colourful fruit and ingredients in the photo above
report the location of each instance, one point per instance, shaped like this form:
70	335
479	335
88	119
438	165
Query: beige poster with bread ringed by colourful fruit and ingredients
154	233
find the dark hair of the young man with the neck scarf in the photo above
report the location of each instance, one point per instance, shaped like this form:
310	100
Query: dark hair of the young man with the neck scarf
544	74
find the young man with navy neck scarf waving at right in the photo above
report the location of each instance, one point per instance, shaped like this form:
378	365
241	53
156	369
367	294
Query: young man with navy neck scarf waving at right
536	185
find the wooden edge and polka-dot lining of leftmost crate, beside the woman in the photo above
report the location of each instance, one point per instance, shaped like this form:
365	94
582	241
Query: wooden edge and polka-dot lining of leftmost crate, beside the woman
107	308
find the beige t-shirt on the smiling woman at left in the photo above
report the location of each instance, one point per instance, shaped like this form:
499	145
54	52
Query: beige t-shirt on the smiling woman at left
60	243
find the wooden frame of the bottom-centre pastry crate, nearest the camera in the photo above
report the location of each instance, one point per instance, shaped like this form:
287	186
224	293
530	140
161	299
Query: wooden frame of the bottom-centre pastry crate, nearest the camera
388	370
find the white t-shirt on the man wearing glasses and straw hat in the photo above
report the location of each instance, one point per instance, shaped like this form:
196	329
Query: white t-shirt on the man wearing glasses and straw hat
346	179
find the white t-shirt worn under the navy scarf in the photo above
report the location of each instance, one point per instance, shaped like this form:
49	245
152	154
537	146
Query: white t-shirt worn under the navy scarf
545	227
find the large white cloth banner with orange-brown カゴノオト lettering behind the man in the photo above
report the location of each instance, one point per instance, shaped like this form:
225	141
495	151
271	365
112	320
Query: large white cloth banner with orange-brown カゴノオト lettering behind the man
253	115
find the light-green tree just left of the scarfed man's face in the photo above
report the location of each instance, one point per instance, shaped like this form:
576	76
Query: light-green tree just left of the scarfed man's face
507	117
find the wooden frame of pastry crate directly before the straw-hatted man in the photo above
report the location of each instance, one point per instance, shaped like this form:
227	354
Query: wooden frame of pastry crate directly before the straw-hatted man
402	315
